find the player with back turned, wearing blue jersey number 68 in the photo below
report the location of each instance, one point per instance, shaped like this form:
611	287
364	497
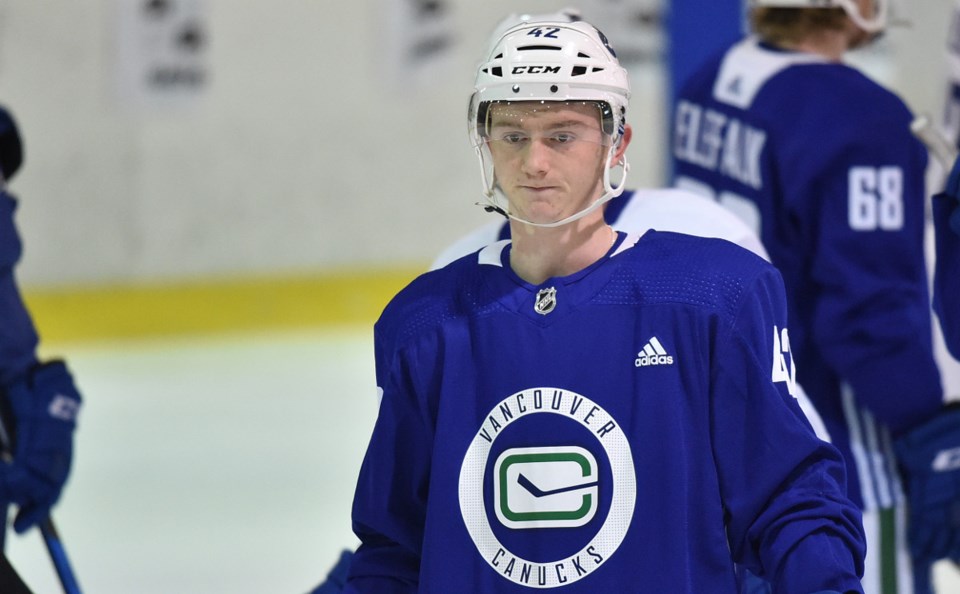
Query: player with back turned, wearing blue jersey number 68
821	161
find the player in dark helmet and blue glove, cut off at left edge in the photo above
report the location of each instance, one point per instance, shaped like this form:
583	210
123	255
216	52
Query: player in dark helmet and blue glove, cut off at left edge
38	401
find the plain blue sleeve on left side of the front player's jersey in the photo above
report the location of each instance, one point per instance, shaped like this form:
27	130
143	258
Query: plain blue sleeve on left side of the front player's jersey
389	507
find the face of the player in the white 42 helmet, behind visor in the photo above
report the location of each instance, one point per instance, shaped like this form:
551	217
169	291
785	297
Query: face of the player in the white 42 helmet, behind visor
548	158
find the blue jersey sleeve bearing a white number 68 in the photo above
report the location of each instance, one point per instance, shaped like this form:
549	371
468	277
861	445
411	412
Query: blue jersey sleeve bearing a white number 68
860	202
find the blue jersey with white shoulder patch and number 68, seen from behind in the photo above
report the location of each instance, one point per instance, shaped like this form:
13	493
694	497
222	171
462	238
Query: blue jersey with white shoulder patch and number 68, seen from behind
820	160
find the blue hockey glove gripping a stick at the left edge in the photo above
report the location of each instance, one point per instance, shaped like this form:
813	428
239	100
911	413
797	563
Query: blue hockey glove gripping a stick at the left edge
44	408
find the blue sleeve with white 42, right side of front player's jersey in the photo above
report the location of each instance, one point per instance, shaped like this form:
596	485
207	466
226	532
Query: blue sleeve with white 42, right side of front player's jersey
789	519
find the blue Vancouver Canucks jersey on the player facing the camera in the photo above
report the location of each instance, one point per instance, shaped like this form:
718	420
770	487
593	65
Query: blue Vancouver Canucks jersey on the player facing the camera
629	428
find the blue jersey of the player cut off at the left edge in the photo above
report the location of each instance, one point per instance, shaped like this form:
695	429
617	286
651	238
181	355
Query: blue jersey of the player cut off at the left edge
18	338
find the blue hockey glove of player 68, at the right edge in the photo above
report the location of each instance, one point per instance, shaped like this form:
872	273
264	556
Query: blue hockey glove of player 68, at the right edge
929	456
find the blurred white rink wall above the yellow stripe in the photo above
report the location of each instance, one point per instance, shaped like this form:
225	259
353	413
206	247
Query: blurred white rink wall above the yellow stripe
300	156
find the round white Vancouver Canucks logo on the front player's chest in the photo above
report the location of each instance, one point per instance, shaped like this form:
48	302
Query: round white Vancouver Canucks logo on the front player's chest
547	488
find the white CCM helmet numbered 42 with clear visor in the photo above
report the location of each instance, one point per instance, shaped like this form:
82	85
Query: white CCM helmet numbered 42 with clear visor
551	61
